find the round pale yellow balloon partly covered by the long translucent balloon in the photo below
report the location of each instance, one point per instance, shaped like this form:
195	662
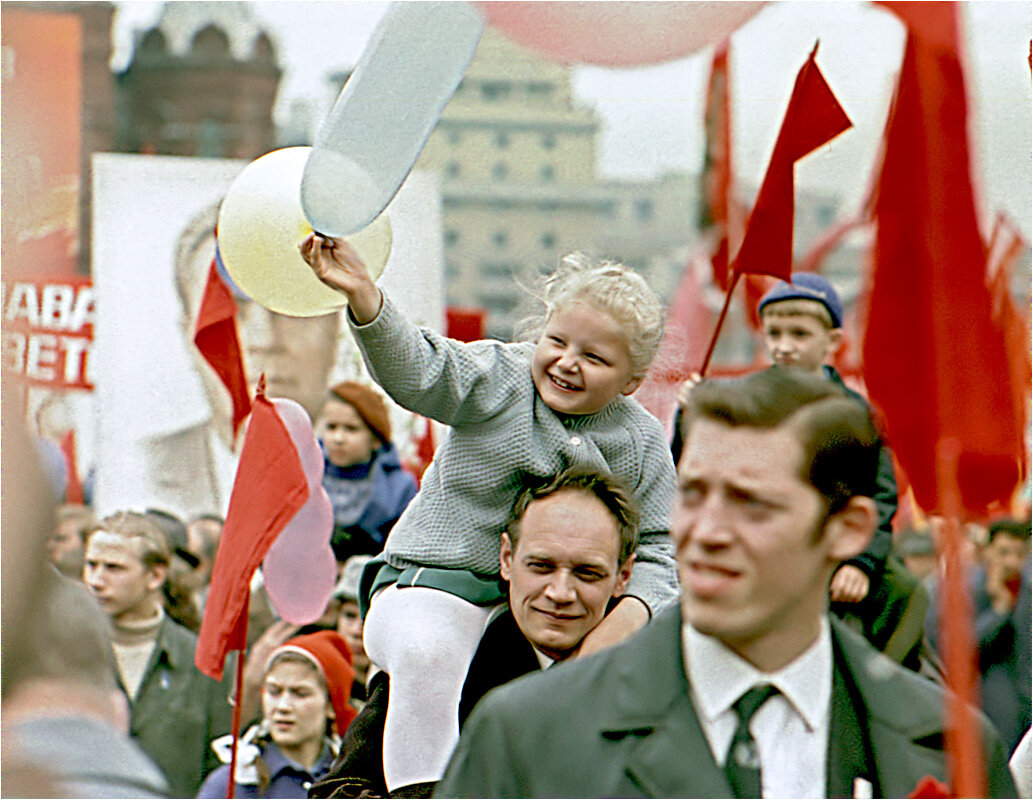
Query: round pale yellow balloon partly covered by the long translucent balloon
261	226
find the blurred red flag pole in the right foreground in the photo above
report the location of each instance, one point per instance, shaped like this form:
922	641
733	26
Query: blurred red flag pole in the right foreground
963	740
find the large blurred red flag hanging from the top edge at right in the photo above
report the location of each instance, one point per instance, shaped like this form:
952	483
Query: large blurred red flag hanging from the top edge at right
934	361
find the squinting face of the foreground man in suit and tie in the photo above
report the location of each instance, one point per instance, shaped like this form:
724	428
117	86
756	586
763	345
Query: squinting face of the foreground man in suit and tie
753	558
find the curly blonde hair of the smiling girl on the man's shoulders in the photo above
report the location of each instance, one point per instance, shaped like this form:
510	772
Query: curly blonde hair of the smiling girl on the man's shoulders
608	287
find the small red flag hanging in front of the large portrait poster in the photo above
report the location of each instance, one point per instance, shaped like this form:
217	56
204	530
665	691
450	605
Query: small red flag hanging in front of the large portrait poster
215	335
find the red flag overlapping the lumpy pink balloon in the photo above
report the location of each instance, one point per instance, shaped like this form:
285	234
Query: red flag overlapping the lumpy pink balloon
269	490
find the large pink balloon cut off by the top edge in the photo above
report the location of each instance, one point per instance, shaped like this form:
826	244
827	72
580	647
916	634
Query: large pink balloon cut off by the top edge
617	35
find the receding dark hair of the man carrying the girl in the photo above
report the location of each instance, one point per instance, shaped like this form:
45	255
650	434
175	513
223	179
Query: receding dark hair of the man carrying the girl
598	483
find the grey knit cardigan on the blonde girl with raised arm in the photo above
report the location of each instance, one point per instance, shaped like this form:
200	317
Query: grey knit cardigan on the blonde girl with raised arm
502	432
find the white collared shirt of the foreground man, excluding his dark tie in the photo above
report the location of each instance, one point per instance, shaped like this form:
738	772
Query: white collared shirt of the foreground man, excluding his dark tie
792	729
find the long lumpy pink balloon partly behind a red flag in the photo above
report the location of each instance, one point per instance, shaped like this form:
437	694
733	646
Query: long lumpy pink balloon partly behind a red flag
300	569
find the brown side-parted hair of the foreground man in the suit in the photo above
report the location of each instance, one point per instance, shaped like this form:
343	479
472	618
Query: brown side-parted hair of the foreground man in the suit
841	446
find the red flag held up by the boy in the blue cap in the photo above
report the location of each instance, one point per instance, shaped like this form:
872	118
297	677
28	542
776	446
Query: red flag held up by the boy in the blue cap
813	118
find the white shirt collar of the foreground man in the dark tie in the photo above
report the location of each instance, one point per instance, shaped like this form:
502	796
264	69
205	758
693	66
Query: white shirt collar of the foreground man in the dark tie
718	678
